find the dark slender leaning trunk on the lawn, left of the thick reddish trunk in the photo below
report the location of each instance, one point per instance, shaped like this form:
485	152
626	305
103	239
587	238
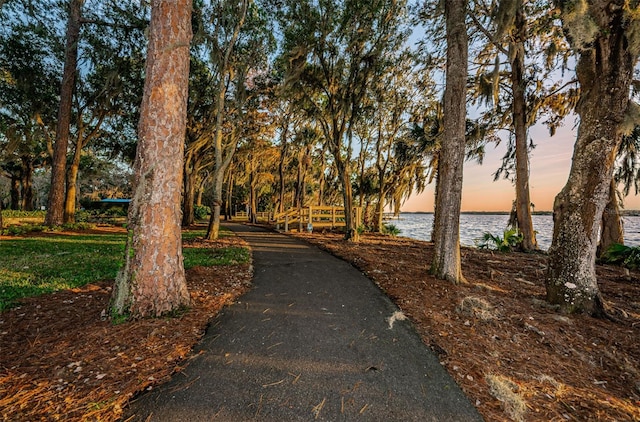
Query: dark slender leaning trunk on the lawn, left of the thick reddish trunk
55	206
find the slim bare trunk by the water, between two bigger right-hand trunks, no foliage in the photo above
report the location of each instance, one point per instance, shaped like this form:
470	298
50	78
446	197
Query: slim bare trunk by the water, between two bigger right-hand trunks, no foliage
523	198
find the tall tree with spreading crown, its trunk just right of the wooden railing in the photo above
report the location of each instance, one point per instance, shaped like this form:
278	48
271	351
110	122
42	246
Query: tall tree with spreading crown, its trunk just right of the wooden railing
335	50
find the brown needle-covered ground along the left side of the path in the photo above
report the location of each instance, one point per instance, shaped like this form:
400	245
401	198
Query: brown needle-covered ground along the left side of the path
62	359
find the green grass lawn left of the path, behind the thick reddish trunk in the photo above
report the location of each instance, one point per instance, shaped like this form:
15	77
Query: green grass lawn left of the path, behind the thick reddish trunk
37	265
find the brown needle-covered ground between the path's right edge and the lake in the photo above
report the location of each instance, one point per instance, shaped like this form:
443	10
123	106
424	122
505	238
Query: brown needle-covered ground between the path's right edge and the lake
515	356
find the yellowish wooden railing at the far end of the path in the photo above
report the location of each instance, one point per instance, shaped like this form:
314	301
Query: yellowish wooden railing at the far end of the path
310	218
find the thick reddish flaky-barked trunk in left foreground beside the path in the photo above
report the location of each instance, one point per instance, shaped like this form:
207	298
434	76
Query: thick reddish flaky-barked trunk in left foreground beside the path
152	281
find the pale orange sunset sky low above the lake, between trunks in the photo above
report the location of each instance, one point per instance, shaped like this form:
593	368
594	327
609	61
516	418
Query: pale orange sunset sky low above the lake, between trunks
550	163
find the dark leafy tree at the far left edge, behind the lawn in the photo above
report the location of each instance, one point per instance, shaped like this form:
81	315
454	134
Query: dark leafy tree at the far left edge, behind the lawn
28	96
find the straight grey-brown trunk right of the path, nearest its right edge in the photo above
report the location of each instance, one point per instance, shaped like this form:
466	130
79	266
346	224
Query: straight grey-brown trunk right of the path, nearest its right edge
446	260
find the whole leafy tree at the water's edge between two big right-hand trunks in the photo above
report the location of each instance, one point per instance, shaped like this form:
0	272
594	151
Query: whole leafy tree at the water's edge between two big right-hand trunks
522	34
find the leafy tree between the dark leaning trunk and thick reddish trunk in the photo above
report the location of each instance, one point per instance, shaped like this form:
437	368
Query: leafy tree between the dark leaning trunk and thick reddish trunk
113	62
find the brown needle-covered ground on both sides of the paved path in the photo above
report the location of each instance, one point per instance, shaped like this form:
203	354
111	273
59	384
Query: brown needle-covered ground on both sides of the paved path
516	357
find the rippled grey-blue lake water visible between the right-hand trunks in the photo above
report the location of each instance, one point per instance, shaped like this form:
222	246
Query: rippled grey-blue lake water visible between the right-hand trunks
473	226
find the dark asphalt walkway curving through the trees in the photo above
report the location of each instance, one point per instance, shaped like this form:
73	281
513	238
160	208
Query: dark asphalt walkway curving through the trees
311	341
